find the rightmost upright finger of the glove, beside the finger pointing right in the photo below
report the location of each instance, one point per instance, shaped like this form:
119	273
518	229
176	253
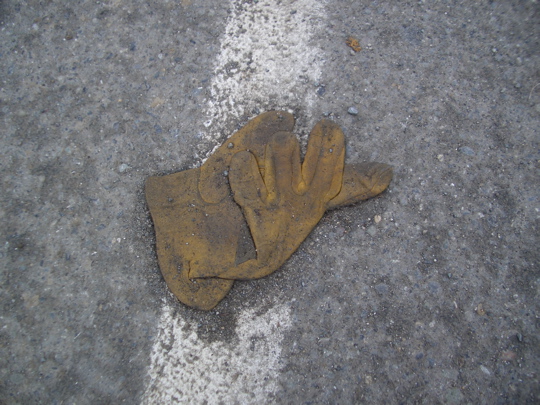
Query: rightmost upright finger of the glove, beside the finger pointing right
322	169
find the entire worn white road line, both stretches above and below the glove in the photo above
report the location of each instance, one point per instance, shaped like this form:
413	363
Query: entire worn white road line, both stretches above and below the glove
265	56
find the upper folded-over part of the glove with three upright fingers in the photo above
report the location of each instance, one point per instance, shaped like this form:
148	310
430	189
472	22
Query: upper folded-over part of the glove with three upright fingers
281	199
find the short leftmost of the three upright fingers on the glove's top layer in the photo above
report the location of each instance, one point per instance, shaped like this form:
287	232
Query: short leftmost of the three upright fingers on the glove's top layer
246	182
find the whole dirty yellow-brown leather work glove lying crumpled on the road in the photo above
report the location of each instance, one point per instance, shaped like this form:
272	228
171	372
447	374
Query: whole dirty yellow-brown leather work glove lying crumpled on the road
207	237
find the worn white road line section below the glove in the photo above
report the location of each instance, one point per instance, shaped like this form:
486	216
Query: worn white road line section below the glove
185	369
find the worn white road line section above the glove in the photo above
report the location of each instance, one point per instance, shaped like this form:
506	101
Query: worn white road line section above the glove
265	56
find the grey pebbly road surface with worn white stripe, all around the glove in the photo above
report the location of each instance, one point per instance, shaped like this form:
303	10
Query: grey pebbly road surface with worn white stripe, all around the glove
427	294
